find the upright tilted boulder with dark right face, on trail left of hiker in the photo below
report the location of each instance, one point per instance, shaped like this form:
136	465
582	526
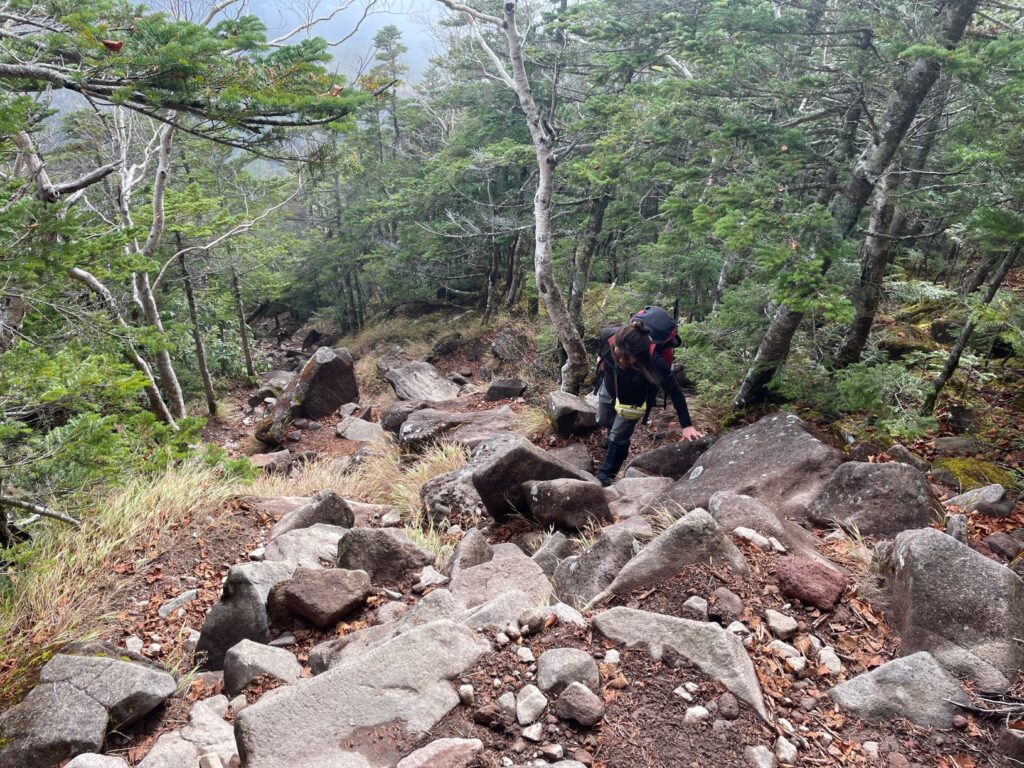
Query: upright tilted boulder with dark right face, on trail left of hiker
326	383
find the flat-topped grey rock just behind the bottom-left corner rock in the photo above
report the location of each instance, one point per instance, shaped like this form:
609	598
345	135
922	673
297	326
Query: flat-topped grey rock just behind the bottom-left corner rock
127	691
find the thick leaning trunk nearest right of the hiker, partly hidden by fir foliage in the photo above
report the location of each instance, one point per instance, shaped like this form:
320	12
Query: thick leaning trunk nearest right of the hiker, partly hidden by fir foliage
846	207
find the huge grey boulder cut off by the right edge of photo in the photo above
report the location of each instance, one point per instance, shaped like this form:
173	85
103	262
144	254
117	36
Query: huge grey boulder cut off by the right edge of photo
964	609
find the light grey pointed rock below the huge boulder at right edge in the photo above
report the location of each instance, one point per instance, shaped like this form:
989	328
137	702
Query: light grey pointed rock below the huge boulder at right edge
915	688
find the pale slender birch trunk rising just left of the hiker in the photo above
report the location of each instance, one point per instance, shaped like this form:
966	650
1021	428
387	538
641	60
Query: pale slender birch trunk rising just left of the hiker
577	364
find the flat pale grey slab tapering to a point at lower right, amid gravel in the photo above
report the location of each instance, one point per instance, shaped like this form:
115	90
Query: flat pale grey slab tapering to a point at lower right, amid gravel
717	653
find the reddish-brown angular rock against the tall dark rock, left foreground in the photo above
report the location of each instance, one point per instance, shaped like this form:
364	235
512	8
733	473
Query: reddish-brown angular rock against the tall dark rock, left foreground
325	596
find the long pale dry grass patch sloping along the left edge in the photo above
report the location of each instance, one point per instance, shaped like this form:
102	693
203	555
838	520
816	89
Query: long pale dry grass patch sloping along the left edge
67	586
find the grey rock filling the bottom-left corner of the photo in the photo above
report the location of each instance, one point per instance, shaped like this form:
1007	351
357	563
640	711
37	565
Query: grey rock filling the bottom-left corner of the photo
55	722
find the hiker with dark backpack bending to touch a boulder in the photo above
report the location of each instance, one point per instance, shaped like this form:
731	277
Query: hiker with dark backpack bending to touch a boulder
633	362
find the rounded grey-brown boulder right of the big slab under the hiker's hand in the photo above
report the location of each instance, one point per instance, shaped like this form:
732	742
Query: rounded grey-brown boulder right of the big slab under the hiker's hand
876	499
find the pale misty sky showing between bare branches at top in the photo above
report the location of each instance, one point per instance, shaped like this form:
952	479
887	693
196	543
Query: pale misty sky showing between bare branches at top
412	17
